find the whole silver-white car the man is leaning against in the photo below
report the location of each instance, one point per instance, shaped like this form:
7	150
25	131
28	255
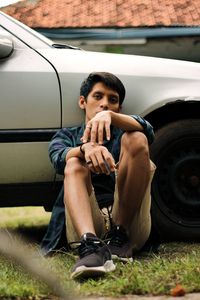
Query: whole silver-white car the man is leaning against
39	90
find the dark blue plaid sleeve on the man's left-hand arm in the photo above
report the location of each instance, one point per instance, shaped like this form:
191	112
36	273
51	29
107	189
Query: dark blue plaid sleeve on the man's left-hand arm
60	144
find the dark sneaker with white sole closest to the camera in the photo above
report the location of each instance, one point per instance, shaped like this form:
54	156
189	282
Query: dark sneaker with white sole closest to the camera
95	258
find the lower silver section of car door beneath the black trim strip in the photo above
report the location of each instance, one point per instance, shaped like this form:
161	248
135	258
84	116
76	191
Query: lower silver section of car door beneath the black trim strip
32	163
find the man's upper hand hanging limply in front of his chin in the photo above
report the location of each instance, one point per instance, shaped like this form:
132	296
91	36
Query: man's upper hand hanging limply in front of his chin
97	128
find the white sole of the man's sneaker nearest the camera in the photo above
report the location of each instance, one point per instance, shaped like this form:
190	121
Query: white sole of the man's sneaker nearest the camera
85	272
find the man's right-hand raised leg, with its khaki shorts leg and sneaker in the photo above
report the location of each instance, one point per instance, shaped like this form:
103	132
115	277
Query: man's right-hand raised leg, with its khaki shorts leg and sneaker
131	210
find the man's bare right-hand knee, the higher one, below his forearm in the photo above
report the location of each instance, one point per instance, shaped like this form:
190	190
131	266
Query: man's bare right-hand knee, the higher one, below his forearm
135	142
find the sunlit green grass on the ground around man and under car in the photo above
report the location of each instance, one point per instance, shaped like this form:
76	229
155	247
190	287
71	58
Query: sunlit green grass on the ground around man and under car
176	263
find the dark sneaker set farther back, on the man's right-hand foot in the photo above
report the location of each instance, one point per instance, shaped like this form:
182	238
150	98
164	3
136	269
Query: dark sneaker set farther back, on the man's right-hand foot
118	243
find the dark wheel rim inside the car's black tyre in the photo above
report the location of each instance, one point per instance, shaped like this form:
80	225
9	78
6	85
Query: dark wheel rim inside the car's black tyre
177	181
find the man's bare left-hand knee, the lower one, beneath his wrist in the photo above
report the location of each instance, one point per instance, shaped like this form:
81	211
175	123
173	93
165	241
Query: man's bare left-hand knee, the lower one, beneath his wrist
74	166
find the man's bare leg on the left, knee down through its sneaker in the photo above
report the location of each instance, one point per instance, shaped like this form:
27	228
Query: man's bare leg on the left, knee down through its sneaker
95	257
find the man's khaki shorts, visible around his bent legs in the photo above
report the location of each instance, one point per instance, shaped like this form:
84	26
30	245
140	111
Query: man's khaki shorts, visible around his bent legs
141	224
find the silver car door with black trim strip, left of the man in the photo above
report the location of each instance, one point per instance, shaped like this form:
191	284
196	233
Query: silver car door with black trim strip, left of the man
30	112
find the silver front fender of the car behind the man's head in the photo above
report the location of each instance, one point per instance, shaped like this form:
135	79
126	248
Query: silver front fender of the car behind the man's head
148	86
